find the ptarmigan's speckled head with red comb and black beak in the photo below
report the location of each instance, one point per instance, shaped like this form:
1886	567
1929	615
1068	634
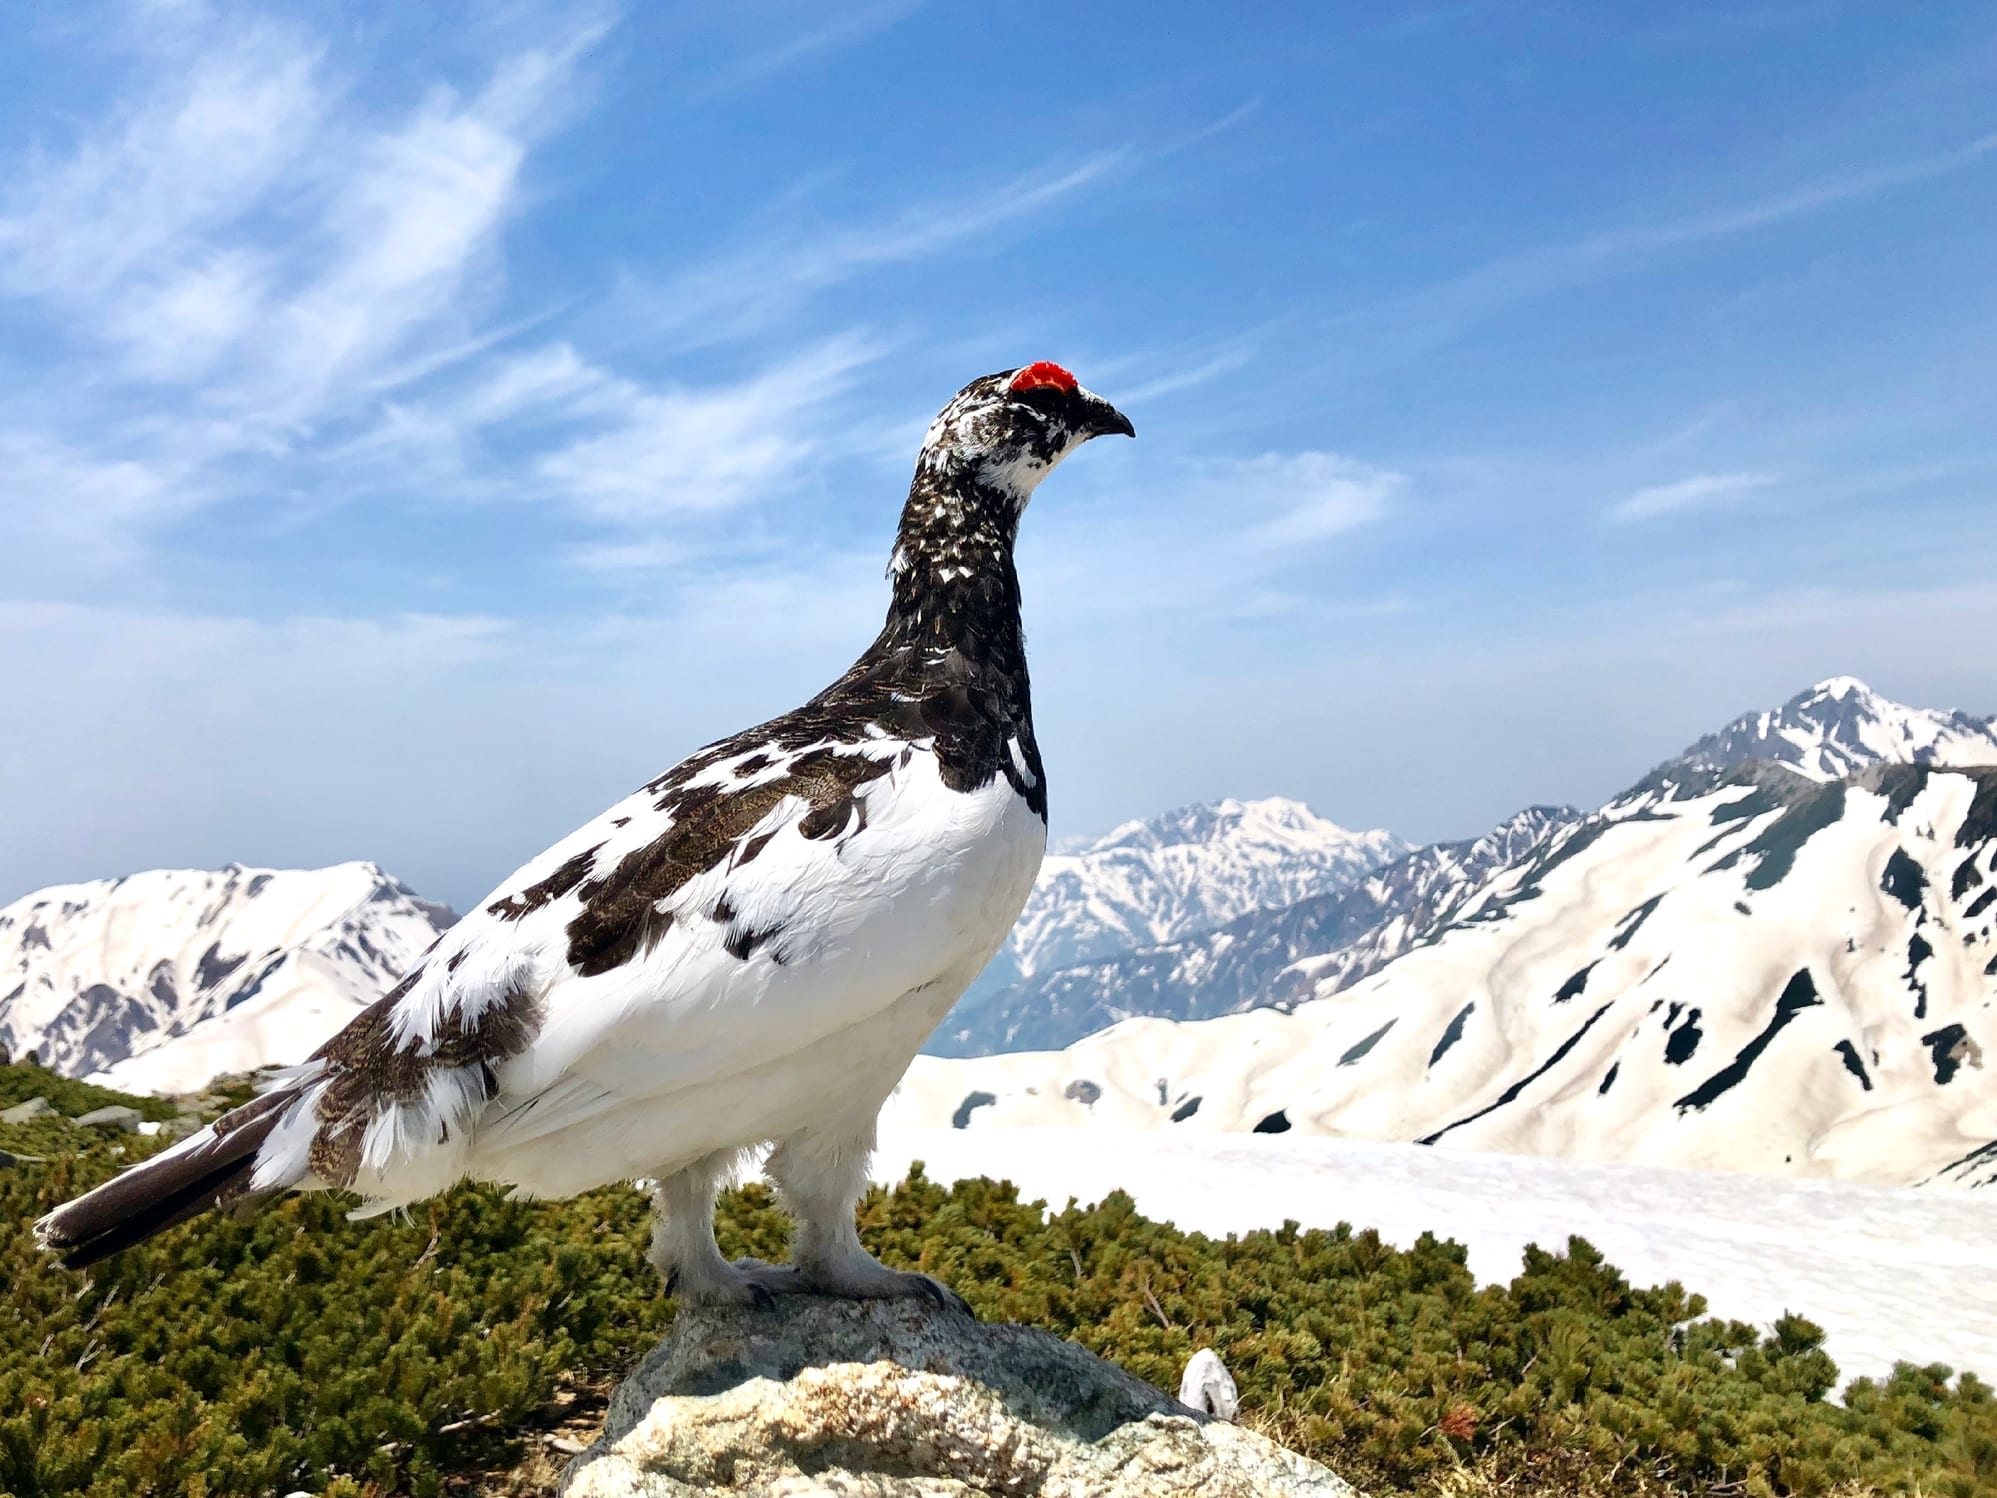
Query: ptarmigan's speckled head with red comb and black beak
1007	430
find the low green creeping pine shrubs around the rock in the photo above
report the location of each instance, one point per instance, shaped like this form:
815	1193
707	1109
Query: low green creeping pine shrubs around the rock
291	1349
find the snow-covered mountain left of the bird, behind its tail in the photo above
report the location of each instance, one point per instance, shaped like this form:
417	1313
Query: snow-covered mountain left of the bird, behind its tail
165	980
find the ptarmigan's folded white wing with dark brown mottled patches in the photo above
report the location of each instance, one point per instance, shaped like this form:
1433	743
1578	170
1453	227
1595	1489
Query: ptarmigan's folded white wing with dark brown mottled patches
742	906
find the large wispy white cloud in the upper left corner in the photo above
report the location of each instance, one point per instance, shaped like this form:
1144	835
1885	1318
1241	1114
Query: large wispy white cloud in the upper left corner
237	261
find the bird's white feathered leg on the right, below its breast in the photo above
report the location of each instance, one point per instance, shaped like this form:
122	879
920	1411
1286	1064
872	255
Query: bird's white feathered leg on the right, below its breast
822	1175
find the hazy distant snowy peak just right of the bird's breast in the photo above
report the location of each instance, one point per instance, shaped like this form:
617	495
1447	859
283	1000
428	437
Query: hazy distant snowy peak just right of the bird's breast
1185	872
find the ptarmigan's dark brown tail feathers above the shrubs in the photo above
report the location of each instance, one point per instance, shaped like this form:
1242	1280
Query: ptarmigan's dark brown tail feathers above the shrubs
207	1169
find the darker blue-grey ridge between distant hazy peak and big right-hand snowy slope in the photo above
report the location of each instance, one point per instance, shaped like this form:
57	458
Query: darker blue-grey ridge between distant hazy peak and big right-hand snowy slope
1263	958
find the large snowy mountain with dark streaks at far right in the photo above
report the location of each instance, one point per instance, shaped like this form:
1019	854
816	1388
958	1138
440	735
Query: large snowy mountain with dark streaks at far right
1732	966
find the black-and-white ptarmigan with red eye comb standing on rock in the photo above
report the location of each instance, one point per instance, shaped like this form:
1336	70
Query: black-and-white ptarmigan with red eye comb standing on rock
746	952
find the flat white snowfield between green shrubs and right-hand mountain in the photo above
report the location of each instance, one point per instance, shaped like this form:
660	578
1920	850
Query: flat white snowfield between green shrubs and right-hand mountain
1890	1275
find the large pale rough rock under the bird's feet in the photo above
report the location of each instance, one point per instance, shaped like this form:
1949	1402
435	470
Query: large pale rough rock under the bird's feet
906	1401
